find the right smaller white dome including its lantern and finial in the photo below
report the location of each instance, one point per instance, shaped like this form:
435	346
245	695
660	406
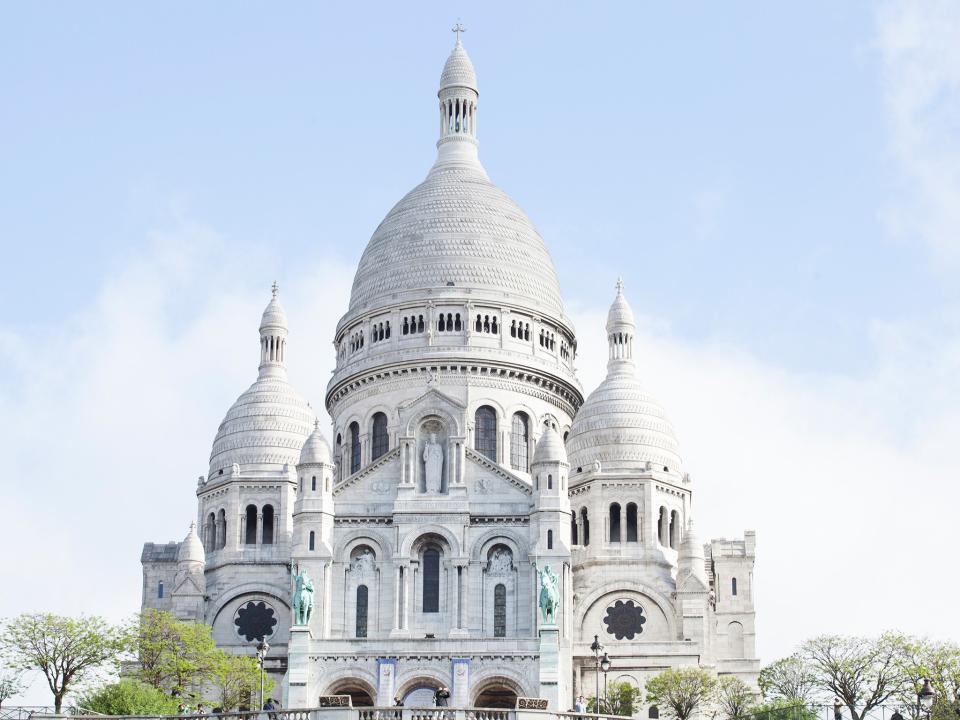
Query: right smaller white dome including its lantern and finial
620	425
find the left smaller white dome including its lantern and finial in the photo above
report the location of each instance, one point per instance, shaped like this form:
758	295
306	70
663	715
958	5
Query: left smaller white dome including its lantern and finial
269	423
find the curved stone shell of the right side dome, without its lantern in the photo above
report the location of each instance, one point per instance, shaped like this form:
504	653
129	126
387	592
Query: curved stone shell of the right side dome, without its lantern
623	427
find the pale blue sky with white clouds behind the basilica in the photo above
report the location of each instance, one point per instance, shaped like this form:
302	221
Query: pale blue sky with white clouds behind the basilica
778	184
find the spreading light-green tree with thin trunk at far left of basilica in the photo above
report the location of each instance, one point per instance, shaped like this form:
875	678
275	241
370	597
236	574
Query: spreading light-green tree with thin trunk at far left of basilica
66	650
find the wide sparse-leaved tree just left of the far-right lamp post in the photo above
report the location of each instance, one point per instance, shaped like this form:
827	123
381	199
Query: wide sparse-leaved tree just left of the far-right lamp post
863	672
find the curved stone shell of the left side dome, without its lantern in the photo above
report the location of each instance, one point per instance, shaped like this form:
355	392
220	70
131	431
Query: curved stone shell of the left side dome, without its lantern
267	425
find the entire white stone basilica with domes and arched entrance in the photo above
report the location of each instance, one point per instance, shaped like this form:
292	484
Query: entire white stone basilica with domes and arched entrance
462	467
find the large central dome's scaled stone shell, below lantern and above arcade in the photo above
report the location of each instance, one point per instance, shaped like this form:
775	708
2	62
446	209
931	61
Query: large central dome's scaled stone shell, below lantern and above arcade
457	228
